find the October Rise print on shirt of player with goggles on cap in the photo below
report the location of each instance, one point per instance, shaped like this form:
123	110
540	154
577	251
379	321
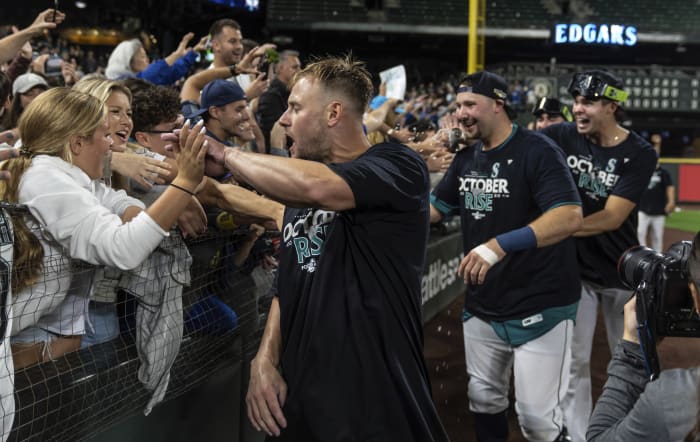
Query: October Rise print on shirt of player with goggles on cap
595	179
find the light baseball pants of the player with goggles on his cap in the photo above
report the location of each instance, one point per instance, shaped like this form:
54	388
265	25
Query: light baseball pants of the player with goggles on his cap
578	403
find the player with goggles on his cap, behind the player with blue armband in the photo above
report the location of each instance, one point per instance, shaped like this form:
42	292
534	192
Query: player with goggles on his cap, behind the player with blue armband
611	167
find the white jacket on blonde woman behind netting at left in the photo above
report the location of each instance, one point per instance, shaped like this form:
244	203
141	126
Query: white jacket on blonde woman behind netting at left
77	218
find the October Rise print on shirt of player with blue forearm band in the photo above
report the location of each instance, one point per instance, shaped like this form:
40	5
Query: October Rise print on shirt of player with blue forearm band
479	190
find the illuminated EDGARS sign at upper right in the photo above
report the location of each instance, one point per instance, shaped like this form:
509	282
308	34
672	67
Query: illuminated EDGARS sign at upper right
595	34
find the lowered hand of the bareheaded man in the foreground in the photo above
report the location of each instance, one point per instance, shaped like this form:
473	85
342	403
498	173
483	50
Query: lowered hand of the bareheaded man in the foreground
267	393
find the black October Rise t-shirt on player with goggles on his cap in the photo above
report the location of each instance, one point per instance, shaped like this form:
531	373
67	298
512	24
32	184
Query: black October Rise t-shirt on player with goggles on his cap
623	171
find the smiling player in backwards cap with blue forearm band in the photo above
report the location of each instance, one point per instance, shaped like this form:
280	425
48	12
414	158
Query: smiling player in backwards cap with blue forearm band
518	206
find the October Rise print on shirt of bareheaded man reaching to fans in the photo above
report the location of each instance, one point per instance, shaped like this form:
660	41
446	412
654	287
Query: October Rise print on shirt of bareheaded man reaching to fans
306	233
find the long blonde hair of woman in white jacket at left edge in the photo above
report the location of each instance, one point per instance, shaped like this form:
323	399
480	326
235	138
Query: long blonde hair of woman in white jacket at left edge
46	125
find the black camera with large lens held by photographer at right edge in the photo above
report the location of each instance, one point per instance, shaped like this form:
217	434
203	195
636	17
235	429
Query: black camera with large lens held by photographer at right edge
664	302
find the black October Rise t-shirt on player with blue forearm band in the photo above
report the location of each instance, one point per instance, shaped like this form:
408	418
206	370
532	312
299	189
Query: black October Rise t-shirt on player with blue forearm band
504	189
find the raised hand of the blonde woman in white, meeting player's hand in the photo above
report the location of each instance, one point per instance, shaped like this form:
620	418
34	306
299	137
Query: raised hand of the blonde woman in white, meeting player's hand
190	159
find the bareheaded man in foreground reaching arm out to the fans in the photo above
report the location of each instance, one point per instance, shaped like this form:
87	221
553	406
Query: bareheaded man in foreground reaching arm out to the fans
341	357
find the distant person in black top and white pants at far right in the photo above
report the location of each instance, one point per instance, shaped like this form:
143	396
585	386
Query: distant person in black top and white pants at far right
657	202
